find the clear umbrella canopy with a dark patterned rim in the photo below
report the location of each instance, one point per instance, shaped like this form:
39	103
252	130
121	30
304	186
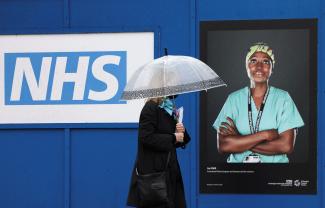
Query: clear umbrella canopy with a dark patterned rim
170	75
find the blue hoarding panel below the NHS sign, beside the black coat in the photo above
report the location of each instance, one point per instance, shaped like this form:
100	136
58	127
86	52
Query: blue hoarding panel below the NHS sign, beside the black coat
101	165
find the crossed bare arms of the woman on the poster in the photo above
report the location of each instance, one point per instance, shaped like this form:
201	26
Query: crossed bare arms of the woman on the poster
267	142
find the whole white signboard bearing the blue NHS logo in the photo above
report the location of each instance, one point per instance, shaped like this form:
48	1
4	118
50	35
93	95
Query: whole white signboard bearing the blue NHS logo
71	78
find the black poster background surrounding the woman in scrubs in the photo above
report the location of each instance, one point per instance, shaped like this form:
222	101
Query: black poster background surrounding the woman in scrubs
224	45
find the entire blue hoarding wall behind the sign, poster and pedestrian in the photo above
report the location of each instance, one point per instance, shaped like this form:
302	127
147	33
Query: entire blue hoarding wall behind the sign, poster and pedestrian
80	166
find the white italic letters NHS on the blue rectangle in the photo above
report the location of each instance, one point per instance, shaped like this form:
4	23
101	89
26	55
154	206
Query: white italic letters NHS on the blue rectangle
39	88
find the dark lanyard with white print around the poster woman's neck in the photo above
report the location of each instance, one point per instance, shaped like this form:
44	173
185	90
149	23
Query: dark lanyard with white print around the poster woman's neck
260	112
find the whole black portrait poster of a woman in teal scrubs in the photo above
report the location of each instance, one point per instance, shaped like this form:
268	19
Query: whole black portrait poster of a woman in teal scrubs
286	164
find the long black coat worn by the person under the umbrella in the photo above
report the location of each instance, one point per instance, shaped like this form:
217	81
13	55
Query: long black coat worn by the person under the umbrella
155	139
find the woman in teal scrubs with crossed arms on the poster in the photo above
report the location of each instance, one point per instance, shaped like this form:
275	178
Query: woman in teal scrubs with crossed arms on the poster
258	124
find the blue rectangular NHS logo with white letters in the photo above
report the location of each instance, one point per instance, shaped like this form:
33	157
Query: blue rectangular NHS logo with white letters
64	77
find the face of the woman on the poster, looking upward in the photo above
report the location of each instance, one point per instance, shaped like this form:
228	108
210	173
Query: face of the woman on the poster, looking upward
259	67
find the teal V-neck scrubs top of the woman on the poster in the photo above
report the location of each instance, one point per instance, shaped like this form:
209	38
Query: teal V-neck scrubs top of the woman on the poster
279	113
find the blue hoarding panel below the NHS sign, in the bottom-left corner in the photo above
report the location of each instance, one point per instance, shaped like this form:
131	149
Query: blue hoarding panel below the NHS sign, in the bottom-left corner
32	170
